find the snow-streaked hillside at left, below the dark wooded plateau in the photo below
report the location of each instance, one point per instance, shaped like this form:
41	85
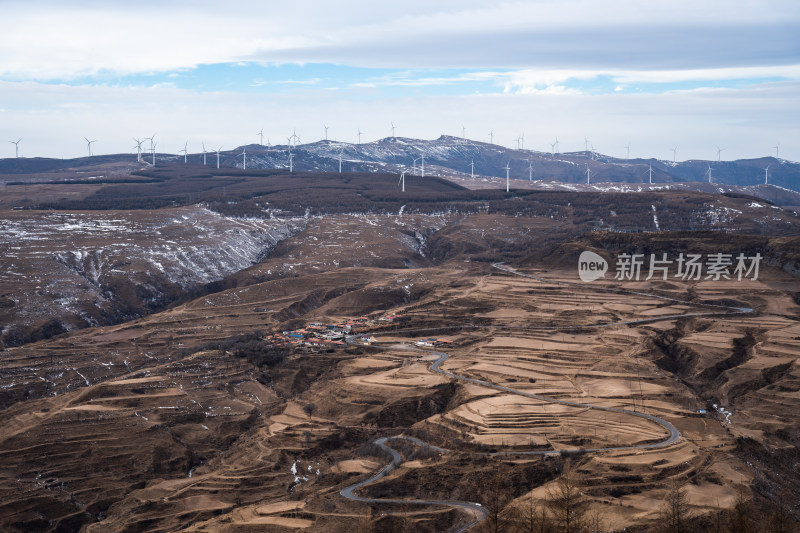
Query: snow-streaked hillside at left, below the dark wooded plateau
89	268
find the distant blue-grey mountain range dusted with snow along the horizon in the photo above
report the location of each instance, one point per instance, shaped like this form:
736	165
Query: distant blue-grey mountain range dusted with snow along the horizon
454	157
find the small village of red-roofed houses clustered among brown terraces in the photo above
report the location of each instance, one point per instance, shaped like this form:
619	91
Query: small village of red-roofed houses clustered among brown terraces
317	336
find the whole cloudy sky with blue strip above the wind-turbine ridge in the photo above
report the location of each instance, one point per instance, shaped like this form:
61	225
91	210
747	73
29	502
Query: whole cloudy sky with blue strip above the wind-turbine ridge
710	79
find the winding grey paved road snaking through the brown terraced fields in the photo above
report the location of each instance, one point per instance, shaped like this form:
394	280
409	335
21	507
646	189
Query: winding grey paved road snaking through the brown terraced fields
673	436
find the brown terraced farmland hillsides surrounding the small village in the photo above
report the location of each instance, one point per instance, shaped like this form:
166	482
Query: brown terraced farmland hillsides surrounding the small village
187	419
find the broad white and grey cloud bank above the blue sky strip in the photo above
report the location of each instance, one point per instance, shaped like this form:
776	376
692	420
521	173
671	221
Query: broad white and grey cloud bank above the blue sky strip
63	40
